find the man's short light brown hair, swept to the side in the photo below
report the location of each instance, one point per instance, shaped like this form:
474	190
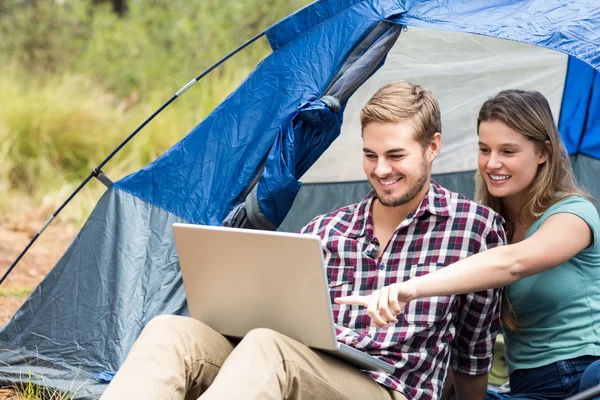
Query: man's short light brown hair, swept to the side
401	101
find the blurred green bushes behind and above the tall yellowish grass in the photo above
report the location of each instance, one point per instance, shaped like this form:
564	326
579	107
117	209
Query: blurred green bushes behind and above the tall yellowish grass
159	43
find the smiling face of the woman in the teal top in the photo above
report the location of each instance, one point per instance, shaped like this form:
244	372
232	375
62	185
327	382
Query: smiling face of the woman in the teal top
508	161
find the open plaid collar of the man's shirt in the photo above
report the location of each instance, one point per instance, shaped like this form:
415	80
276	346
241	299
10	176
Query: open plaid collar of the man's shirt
435	202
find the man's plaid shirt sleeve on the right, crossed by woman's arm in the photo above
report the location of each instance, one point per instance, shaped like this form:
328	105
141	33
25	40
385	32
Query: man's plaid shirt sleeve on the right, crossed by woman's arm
478	318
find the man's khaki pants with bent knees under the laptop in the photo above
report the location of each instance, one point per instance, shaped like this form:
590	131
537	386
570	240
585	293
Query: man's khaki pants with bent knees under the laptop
181	358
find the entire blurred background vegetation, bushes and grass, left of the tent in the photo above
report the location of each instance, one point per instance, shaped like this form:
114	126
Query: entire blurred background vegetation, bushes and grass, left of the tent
76	80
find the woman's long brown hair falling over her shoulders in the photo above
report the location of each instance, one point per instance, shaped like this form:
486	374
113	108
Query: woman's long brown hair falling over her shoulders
528	113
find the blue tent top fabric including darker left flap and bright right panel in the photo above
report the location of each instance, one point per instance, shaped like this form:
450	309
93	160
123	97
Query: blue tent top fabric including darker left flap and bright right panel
568	27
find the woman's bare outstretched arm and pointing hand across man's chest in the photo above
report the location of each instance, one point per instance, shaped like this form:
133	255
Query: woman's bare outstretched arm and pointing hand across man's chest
560	237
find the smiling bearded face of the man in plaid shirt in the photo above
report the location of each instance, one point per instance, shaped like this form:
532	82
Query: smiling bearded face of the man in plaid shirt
396	165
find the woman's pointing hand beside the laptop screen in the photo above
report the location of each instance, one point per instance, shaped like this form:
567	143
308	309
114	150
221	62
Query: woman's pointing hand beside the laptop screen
385	304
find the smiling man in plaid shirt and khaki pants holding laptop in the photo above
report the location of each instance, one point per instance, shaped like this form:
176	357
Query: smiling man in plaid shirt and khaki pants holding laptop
407	226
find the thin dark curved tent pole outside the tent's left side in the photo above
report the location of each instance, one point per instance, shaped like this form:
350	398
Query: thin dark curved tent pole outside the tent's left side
97	171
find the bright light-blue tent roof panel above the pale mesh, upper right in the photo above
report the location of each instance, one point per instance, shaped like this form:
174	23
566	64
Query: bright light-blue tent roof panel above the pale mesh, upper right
569	27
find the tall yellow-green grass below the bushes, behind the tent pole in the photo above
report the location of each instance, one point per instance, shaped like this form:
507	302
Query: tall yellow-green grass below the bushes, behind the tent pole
54	131
